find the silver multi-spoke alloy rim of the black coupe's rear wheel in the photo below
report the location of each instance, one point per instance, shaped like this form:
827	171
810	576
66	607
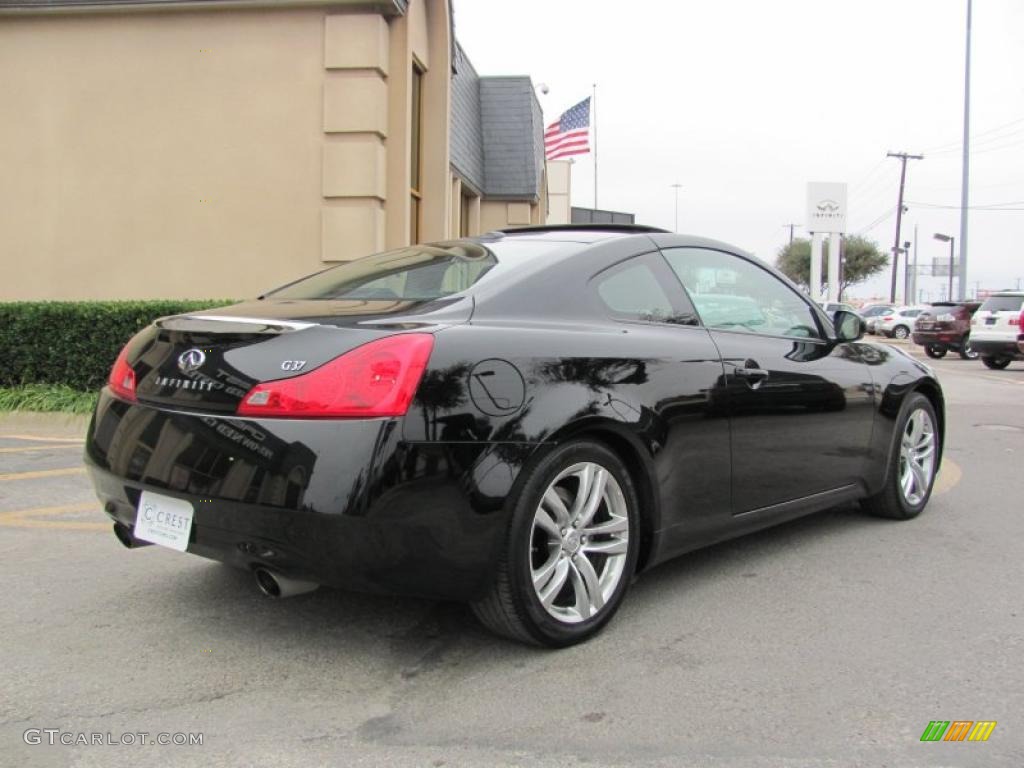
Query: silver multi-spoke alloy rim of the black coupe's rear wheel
579	543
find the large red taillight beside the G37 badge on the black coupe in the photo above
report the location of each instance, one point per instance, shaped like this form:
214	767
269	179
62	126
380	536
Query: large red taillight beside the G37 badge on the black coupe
374	380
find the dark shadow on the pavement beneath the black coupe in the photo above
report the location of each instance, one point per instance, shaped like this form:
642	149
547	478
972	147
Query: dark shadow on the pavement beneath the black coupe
416	635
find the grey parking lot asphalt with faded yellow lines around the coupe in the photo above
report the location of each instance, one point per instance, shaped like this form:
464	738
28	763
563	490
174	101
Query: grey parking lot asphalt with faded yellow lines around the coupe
830	642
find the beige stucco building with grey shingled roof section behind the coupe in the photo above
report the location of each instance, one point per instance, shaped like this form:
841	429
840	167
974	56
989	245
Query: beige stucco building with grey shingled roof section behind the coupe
221	148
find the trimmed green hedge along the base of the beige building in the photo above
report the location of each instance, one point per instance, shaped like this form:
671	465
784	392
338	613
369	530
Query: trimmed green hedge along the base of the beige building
74	344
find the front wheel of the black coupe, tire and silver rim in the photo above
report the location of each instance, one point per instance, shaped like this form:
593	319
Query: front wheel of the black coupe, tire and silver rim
914	462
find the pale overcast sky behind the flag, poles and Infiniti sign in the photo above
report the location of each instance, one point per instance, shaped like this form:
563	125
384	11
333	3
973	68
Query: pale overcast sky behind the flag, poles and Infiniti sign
745	102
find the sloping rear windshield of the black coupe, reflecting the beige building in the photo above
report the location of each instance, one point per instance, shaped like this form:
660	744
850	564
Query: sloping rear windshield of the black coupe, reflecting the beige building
418	273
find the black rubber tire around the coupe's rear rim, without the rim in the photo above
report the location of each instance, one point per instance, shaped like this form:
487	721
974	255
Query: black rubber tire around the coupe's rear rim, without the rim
513	608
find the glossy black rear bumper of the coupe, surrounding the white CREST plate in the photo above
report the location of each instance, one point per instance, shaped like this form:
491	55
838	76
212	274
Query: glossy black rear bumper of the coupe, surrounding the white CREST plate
343	503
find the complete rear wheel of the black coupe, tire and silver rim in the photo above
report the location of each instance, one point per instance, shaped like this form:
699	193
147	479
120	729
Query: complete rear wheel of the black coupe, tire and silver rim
571	550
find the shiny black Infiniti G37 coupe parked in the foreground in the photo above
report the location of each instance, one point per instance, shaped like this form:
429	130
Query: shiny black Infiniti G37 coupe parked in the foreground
522	421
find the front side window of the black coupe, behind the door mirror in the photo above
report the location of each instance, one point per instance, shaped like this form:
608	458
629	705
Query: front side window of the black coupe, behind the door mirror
734	294
